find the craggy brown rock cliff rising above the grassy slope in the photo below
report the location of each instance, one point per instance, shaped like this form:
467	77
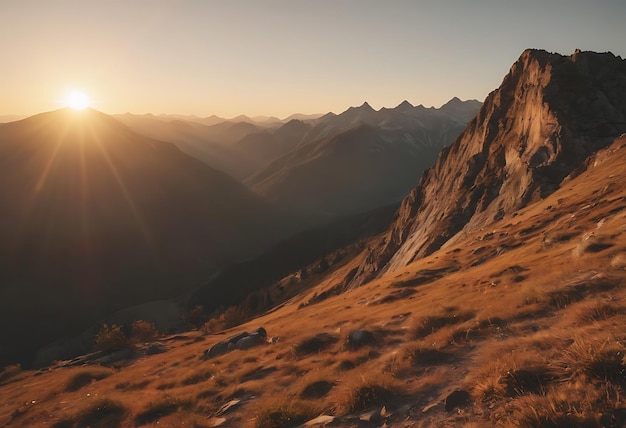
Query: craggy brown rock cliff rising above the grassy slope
550	113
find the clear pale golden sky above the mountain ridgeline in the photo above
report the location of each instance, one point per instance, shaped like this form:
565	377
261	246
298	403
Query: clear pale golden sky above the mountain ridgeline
256	57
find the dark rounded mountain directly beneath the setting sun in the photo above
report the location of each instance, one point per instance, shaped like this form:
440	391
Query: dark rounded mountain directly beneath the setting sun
96	217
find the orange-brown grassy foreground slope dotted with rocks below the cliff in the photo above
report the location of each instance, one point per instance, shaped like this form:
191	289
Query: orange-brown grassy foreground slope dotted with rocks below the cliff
528	316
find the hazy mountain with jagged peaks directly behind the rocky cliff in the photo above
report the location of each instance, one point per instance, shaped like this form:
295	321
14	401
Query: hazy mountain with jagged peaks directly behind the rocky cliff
360	159
